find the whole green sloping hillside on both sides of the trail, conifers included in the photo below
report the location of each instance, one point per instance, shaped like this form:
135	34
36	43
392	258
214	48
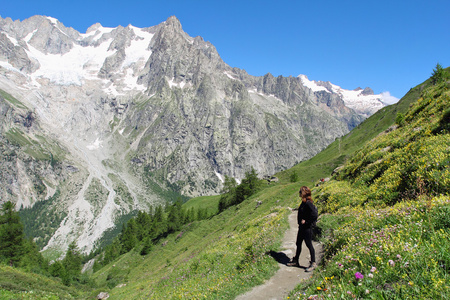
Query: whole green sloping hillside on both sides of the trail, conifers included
385	221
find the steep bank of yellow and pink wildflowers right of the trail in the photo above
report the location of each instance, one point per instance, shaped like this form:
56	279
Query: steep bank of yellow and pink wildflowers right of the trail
387	212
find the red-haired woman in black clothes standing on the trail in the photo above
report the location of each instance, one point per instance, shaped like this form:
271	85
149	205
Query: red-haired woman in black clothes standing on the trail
306	218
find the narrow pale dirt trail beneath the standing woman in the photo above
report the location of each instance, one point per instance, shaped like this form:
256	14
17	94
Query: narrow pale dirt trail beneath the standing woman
286	278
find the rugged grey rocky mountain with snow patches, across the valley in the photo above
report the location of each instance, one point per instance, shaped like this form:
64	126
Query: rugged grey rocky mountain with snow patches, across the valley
106	122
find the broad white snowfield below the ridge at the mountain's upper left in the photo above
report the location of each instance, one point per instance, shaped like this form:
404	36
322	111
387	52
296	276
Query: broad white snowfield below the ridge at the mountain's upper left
86	58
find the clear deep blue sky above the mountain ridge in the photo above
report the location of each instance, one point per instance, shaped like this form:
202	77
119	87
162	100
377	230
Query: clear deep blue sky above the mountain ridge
386	45
